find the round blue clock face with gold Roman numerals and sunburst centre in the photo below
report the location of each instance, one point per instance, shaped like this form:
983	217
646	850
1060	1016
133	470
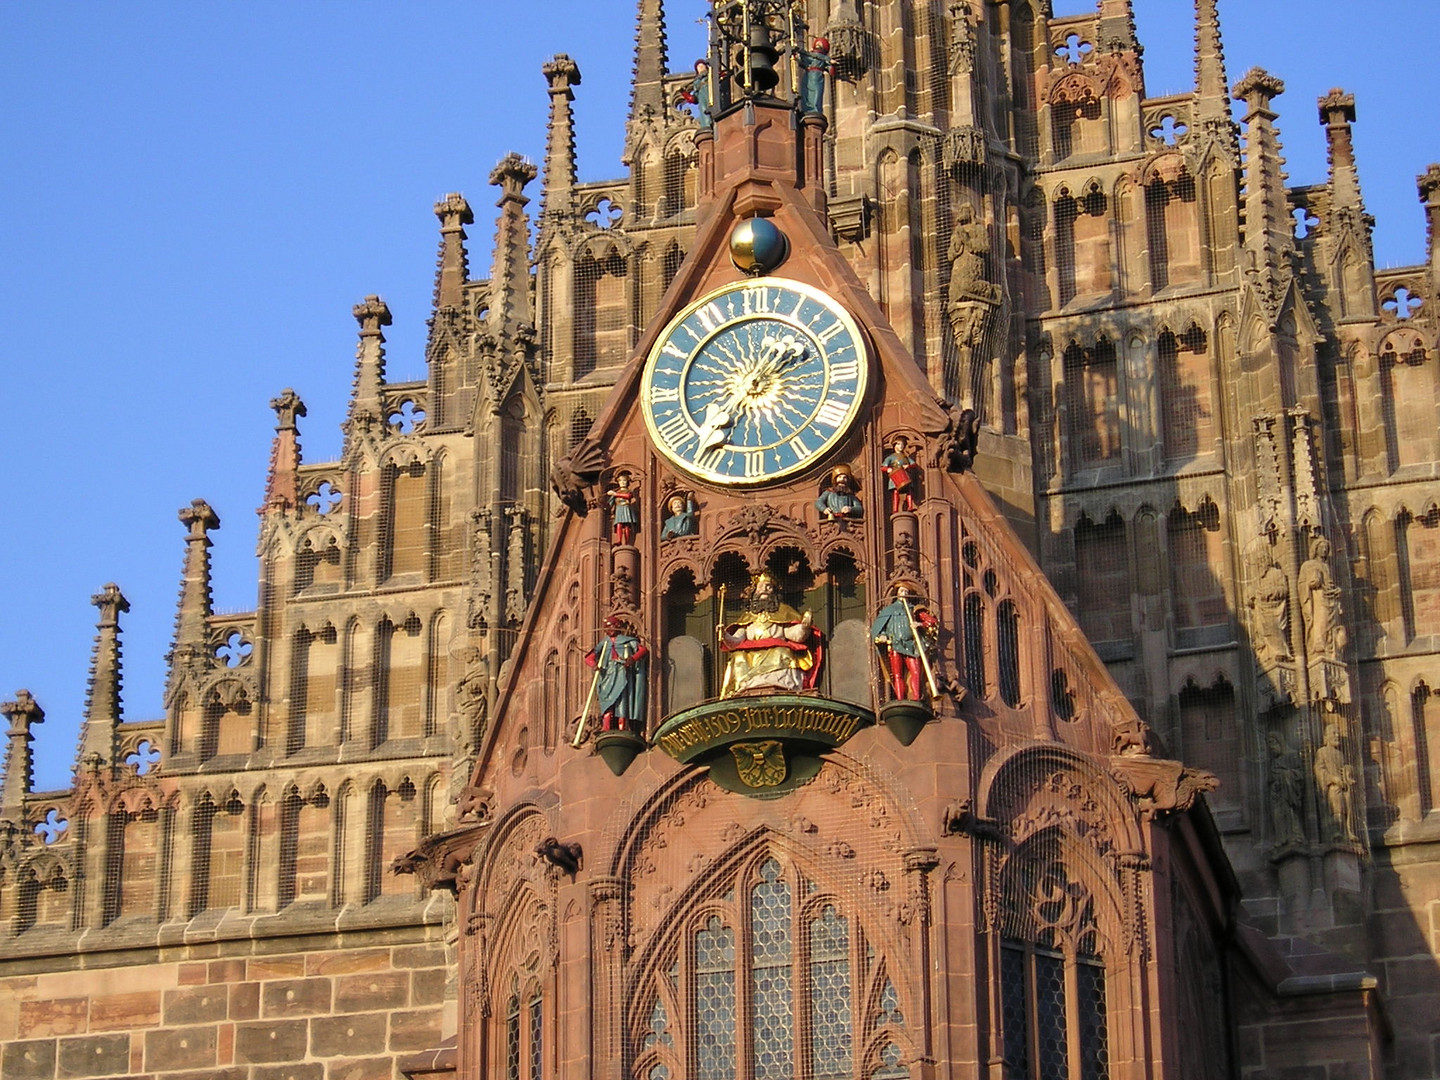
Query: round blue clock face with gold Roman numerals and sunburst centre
755	382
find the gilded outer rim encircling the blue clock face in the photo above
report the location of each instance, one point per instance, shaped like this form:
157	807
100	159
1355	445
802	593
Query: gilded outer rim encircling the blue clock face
811	460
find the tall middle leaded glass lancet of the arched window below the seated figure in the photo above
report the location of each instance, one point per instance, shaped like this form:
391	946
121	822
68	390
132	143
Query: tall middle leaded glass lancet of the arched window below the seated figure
773	1038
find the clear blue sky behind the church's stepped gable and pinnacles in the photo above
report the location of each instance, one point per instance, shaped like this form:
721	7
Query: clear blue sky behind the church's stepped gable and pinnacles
195	195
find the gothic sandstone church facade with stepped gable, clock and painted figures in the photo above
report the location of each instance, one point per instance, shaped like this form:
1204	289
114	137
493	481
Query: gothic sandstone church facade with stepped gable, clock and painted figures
1161	800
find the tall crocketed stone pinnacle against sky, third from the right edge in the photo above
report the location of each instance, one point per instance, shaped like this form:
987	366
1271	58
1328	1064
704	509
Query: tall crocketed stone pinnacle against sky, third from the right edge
1269	231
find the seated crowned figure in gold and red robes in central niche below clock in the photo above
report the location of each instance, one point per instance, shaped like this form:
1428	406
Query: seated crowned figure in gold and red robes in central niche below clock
773	647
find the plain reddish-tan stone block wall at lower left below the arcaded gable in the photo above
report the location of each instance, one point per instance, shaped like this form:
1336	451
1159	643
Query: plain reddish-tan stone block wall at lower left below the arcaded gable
309	1009
